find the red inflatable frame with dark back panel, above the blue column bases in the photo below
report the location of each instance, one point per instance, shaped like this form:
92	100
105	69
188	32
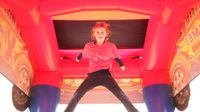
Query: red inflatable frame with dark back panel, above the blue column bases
145	31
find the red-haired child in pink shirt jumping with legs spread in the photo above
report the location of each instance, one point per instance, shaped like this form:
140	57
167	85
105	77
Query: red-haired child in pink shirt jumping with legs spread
101	53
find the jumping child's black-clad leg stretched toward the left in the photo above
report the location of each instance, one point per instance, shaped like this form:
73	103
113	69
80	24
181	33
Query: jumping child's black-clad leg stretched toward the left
86	85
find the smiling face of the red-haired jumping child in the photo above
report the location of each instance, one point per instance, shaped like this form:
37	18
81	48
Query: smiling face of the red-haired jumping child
100	35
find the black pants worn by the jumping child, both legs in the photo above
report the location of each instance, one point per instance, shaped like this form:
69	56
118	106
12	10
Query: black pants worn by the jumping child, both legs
103	78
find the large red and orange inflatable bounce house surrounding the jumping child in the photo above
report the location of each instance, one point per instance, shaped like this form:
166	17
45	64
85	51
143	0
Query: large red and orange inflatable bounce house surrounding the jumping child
158	40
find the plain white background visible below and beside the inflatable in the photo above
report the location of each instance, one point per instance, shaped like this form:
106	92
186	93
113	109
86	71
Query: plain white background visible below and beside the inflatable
7	106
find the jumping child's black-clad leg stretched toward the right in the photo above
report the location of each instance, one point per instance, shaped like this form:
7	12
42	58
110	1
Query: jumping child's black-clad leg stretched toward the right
112	85
